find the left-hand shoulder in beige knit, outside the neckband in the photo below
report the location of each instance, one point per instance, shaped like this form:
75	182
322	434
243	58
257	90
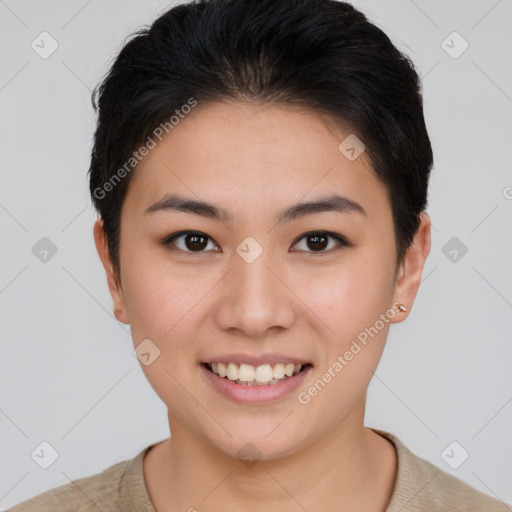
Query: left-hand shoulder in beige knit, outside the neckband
101	491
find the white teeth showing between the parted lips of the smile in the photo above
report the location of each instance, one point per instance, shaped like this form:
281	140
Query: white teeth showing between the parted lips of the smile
263	375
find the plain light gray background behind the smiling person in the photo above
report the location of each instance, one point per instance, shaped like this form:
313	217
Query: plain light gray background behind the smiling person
68	373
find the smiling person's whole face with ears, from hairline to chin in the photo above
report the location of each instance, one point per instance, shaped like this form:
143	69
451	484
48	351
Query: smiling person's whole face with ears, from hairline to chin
243	283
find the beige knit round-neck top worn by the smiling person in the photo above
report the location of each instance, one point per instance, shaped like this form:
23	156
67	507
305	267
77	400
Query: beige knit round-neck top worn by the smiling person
420	486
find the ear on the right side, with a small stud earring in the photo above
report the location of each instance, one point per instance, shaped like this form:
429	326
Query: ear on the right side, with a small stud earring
409	274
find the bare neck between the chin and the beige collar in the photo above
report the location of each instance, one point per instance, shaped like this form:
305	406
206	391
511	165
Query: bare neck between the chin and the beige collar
348	468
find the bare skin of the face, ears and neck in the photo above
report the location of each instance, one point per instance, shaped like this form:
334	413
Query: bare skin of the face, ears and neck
255	161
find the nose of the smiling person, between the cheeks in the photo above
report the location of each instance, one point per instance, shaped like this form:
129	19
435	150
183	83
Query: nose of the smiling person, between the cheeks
255	298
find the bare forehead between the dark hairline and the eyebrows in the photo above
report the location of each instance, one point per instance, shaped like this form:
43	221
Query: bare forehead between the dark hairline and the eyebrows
251	156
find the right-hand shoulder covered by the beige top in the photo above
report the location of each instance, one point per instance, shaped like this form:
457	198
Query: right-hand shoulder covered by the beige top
421	486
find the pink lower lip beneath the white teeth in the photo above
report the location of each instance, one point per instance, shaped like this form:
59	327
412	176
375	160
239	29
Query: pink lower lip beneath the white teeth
255	394
